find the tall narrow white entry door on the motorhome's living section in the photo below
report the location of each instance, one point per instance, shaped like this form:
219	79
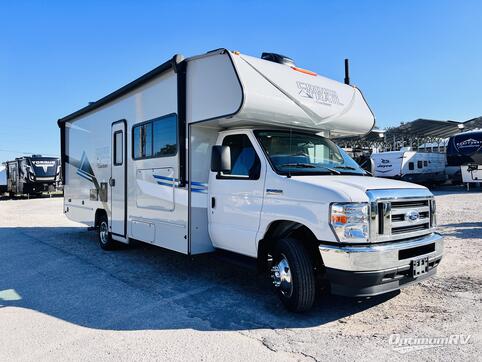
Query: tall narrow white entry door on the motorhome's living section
118	180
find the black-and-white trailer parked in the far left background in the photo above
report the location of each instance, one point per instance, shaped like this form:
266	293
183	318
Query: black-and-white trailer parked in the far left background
32	175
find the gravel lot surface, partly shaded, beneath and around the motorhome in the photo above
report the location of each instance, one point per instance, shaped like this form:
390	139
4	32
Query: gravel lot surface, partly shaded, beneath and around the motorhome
62	297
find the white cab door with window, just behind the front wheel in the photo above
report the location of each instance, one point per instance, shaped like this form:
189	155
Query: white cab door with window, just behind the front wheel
236	199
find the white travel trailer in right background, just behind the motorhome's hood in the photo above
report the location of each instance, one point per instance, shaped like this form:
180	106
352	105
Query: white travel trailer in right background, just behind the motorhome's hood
412	166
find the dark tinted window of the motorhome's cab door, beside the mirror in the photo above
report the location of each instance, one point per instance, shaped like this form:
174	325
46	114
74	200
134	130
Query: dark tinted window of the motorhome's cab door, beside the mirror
244	160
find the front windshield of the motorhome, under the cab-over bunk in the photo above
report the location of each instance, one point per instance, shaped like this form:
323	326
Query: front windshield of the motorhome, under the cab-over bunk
306	154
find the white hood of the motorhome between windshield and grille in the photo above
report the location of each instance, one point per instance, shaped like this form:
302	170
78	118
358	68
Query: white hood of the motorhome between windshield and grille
352	185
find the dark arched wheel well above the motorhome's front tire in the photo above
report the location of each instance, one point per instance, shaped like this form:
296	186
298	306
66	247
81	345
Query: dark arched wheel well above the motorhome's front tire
284	228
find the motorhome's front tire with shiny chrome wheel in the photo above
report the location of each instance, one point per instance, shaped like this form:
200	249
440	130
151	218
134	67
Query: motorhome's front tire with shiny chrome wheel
299	294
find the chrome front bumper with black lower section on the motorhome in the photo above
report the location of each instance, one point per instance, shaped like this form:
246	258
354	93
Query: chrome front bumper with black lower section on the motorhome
371	269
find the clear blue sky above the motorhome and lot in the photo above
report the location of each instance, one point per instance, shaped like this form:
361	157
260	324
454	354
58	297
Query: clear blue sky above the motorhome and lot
412	59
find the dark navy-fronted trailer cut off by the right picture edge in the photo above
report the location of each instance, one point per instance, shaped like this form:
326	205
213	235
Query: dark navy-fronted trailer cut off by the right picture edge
464	151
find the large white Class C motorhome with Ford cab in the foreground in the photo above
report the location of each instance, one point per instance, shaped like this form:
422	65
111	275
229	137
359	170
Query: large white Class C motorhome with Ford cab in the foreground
232	152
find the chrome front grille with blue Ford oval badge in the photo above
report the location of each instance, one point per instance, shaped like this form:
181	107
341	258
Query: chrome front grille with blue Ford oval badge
400	214
